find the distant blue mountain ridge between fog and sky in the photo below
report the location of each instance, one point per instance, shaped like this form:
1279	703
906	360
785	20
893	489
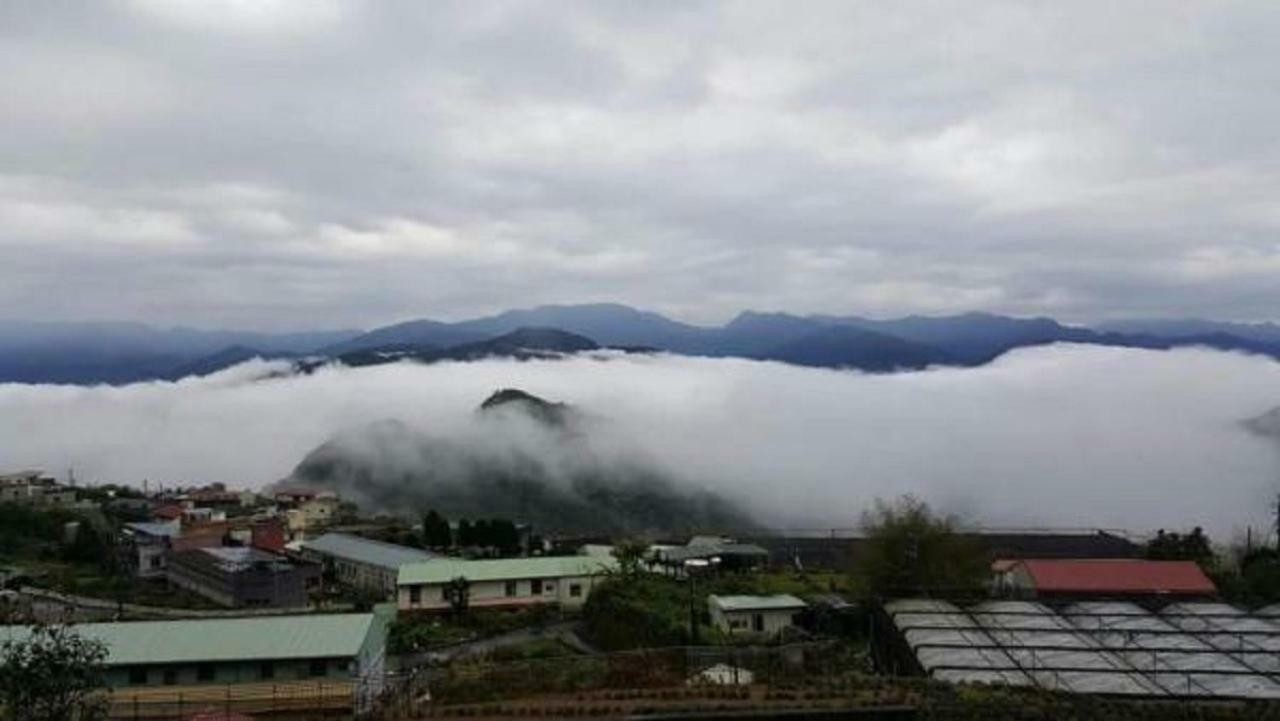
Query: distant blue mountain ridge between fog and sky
124	353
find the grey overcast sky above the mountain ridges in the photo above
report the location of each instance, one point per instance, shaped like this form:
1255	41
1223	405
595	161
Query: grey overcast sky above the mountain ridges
284	165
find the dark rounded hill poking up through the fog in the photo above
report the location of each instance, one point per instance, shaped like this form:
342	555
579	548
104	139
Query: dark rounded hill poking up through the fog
529	460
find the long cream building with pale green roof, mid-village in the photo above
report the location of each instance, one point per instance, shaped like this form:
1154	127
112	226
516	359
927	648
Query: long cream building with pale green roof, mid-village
565	581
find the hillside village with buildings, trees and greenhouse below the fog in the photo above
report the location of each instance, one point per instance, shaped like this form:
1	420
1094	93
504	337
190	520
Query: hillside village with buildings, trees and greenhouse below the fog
291	604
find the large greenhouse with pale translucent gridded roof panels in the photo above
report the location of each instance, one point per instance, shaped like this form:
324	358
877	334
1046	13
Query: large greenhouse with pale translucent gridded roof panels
1185	650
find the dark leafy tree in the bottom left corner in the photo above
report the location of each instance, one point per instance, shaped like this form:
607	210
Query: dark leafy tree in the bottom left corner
53	676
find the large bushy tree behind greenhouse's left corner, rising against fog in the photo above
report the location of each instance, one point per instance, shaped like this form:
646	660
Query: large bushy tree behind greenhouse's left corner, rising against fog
912	551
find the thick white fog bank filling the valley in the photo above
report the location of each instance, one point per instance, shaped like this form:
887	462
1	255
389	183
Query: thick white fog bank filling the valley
1064	436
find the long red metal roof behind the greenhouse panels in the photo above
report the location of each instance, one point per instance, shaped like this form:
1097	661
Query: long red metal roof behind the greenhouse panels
1118	576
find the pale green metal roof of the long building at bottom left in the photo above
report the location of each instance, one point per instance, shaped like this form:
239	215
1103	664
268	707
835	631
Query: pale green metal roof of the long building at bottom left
267	638
